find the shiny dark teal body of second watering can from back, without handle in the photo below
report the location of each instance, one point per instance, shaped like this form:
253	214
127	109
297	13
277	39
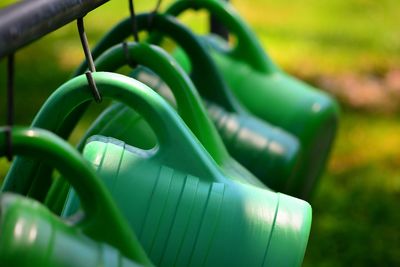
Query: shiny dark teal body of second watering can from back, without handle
263	151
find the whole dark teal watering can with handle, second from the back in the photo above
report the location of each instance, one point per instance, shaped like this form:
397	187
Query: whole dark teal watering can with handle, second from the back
273	158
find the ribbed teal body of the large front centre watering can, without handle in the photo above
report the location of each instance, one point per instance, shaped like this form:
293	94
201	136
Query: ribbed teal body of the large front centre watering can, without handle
188	220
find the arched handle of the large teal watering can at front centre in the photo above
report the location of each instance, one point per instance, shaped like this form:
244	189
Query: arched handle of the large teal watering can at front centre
164	121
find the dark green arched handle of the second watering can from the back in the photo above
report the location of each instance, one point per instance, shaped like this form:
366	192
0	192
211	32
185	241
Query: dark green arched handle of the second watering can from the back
205	74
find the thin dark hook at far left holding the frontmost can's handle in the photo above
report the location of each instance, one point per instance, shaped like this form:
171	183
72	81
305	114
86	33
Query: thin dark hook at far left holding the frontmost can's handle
10	106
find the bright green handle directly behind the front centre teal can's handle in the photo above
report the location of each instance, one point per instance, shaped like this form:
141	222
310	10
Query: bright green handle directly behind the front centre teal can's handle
189	103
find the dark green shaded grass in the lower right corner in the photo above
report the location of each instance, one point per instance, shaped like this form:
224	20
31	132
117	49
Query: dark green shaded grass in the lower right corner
353	224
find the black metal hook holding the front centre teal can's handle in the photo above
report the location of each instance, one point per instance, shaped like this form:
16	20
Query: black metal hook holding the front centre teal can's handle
89	60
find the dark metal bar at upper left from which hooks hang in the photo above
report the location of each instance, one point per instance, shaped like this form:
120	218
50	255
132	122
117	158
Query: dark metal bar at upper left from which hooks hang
27	21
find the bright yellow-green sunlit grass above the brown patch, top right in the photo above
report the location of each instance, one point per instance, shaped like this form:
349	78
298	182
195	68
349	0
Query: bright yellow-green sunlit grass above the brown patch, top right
328	36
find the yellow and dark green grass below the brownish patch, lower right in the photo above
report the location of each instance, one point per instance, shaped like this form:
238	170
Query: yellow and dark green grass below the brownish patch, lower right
356	216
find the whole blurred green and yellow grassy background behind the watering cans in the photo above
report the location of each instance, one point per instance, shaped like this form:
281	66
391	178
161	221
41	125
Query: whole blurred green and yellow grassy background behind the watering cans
350	48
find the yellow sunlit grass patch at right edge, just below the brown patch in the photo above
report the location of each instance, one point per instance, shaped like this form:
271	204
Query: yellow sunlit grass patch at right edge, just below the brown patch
366	140
